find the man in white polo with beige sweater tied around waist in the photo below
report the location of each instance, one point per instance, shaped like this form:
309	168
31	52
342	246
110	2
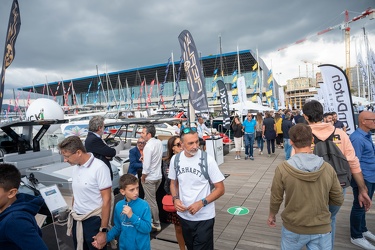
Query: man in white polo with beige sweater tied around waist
91	184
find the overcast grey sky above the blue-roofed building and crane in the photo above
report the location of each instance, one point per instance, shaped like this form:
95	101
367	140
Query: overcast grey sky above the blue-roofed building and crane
67	39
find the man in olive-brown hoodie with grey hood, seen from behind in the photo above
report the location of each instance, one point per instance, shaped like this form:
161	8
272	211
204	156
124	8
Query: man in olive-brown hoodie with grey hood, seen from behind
310	184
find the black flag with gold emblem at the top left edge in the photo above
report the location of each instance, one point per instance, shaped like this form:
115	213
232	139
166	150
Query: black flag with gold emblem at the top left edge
10	40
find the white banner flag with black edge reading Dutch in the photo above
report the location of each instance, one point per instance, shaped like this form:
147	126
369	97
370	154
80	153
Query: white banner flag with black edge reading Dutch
337	84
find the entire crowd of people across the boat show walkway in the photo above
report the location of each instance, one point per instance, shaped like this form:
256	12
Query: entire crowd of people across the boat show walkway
307	183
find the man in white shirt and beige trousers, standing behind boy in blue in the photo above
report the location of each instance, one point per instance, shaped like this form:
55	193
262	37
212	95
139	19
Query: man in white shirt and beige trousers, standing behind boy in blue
151	173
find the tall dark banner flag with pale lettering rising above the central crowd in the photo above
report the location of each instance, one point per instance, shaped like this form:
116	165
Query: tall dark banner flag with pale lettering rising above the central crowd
194	73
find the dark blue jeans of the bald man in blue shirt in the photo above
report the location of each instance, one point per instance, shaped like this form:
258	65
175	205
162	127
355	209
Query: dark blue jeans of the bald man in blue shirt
358	214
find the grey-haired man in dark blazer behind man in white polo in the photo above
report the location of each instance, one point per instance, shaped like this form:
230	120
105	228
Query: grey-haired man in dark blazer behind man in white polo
94	143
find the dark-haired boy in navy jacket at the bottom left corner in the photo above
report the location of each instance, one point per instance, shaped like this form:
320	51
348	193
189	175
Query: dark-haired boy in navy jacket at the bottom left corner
18	228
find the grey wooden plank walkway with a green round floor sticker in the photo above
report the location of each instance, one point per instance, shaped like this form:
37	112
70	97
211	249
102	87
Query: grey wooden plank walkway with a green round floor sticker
249	185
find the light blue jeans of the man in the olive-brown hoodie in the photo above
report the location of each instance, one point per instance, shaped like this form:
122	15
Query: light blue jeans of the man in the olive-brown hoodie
293	241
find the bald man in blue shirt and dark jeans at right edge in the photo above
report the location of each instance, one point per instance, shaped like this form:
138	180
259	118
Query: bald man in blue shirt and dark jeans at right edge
365	151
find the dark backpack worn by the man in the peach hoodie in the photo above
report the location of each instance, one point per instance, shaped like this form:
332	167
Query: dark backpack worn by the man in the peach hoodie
332	154
